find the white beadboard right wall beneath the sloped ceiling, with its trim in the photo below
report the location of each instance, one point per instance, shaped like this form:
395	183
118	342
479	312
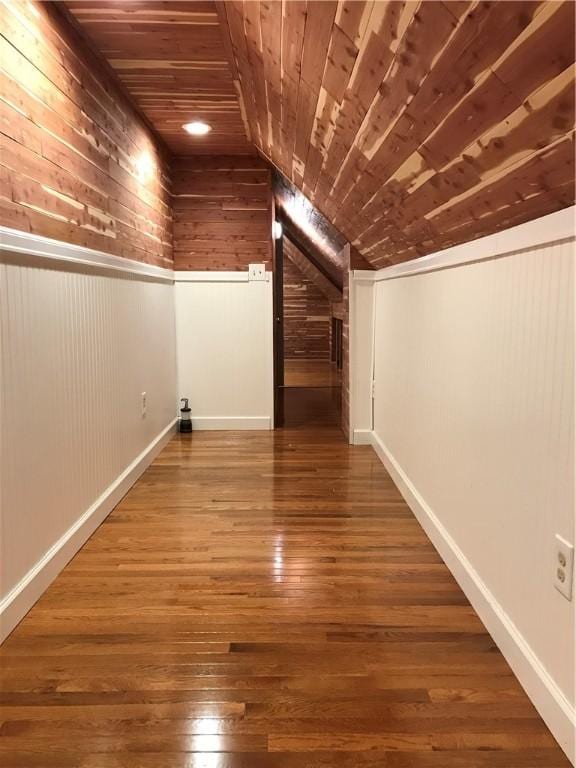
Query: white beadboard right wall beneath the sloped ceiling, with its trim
474	416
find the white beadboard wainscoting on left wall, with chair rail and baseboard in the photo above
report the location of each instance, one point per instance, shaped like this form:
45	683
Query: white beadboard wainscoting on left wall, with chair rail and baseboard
81	340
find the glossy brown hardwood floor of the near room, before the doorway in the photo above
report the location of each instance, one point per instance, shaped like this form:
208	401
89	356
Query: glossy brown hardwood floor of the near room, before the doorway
258	600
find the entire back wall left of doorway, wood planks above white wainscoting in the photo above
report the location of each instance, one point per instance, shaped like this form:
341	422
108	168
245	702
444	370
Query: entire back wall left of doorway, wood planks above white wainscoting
223	213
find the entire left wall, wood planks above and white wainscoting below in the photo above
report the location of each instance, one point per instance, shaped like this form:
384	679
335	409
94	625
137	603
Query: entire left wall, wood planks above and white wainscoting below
84	332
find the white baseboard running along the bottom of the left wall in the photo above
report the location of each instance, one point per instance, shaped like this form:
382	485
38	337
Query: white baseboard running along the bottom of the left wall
22	597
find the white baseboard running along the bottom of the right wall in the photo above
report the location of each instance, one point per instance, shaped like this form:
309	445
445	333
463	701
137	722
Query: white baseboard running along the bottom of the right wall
554	708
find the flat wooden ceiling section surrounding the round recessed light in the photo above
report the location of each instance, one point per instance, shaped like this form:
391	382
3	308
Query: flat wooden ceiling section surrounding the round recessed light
171	58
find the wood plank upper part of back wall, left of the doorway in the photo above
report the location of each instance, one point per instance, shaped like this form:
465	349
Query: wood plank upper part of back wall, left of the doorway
222	213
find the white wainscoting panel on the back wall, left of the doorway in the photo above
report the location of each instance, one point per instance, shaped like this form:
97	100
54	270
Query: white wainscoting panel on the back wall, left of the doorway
225	352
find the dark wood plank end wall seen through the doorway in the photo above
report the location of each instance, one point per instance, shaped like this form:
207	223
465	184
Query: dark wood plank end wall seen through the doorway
306	315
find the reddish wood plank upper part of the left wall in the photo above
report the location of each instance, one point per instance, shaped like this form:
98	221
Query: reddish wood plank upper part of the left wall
77	162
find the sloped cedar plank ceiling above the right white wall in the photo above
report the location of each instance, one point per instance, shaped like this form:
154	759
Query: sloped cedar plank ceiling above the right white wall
412	126
